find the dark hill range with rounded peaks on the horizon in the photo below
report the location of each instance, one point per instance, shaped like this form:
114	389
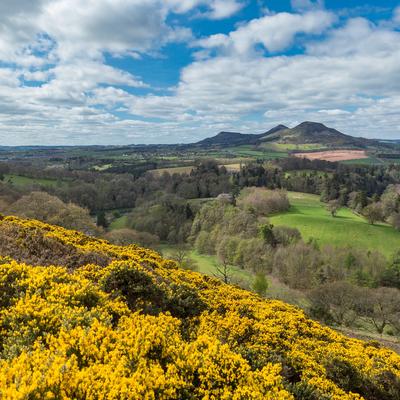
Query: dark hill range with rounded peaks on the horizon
306	132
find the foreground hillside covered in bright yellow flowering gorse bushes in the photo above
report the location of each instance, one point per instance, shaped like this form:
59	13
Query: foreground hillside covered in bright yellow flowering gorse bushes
83	319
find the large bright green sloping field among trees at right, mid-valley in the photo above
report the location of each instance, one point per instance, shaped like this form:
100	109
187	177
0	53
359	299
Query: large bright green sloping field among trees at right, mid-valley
312	219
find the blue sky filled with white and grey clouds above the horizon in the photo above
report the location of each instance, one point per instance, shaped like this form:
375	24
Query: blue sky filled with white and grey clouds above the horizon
84	72
